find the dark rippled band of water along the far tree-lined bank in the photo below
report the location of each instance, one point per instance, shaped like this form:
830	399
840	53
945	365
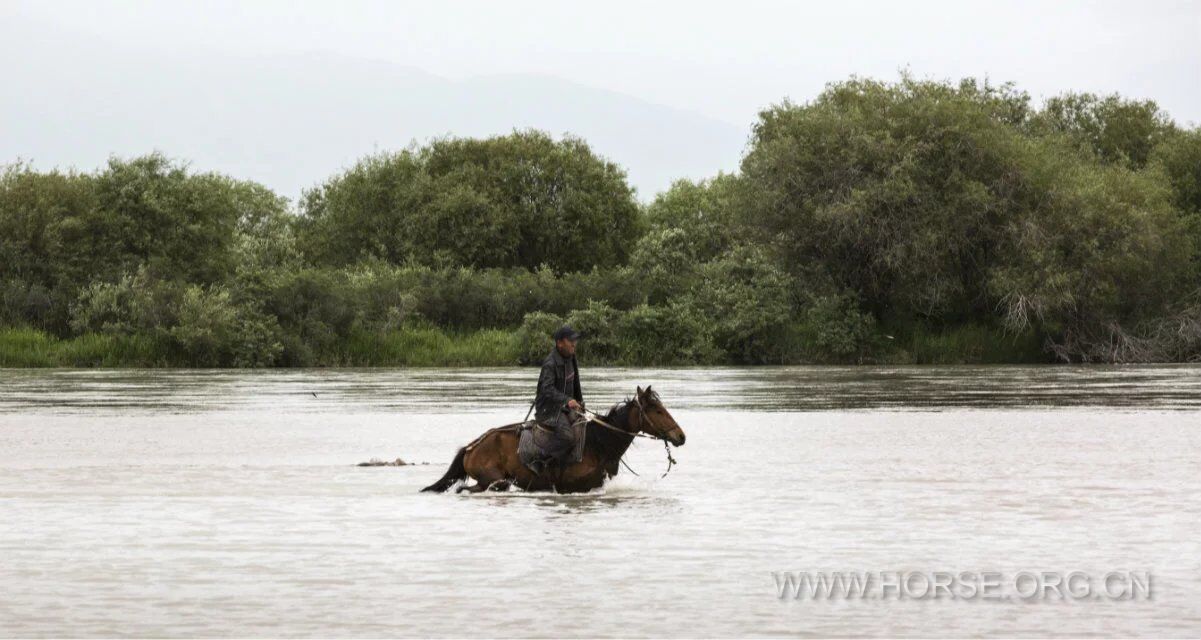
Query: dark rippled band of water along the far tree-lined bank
796	388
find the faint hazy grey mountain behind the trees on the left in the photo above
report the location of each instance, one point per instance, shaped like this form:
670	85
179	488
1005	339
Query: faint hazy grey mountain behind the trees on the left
291	122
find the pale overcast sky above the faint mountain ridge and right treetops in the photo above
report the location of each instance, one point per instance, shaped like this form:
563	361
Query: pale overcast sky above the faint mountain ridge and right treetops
722	59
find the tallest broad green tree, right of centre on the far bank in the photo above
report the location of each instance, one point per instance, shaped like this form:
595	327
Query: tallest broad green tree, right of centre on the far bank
893	192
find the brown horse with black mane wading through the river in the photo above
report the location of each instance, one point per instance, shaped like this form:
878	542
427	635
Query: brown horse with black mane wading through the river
492	460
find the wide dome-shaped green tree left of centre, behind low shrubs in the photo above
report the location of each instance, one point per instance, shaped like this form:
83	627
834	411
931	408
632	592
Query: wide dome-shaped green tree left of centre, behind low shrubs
522	200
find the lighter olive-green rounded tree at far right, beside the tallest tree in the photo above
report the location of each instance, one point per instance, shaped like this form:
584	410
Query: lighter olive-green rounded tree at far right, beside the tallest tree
1092	249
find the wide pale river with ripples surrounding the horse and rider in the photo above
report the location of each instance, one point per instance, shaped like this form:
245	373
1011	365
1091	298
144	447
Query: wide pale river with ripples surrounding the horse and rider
229	504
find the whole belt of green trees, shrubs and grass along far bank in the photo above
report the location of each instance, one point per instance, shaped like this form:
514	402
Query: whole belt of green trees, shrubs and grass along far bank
911	222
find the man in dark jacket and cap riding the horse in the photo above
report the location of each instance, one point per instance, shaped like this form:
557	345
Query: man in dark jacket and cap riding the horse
559	403
